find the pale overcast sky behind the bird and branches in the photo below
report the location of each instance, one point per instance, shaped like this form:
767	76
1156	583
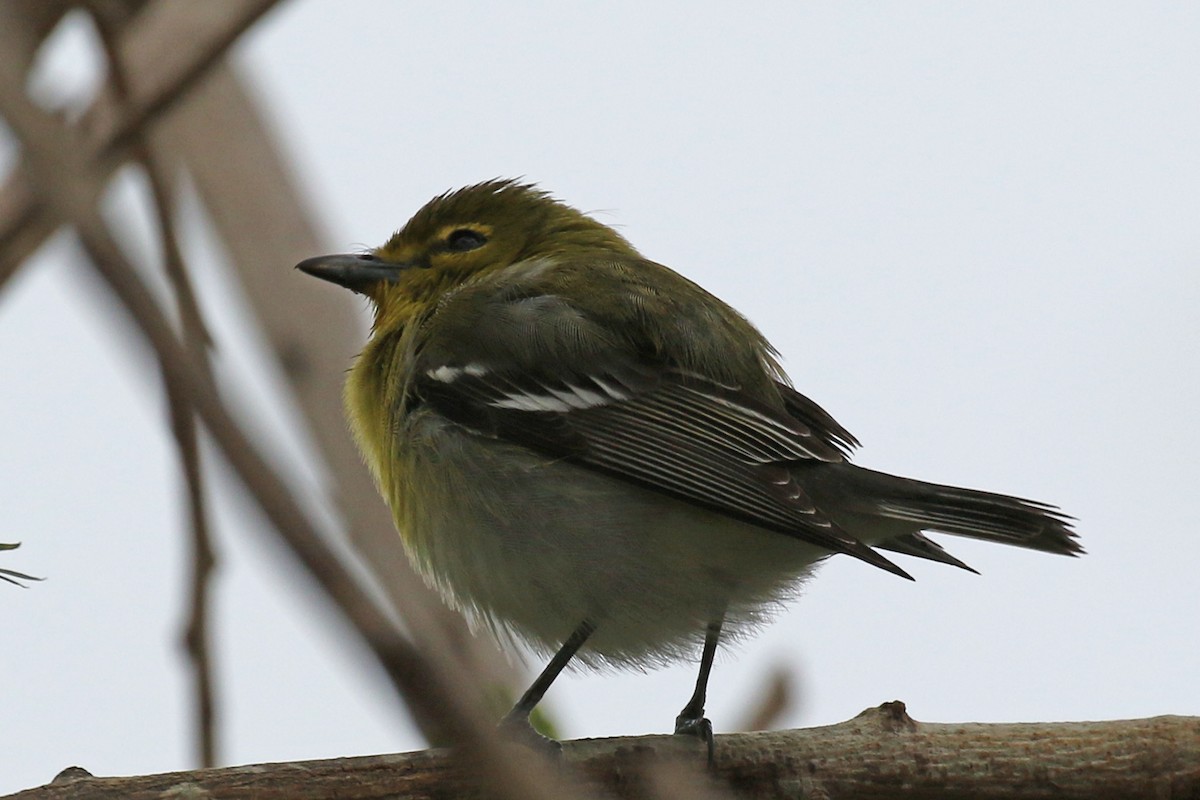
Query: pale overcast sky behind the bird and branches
970	228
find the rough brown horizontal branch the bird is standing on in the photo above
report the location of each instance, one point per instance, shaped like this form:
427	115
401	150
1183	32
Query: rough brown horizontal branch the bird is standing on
881	754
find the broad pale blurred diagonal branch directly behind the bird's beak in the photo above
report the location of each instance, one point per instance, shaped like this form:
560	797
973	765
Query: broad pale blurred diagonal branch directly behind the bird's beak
267	227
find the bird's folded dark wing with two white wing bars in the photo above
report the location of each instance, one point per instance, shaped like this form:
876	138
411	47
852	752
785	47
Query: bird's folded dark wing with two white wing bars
640	420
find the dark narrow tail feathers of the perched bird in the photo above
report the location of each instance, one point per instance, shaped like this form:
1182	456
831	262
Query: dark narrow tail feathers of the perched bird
890	513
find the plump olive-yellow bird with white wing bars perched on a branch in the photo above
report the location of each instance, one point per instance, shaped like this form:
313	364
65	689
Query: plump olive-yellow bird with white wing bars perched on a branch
587	453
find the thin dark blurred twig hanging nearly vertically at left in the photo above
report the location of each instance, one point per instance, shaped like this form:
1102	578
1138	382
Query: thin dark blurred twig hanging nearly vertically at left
111	19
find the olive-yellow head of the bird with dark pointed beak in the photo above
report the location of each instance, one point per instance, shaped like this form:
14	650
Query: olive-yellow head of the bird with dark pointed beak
465	234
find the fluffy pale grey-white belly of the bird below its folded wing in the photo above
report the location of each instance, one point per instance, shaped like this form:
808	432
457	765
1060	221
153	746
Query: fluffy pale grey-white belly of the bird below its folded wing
535	546
